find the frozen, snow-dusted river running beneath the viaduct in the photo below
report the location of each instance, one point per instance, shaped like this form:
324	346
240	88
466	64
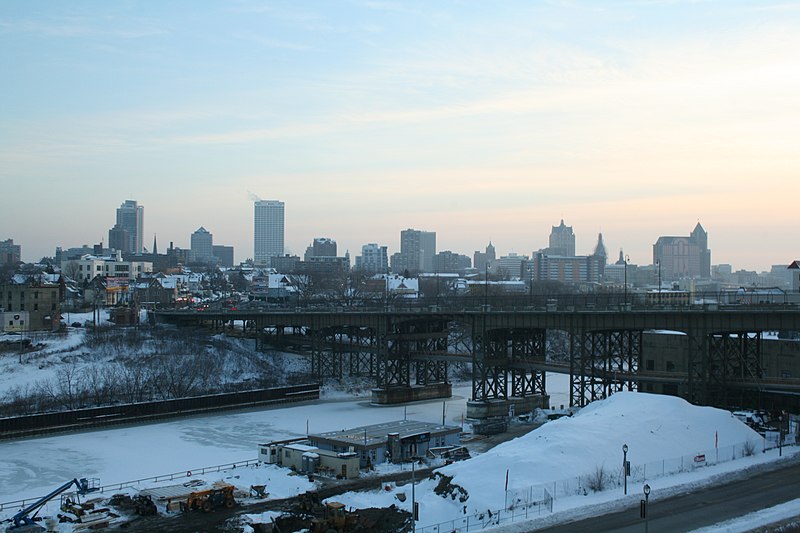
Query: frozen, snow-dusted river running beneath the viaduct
33	467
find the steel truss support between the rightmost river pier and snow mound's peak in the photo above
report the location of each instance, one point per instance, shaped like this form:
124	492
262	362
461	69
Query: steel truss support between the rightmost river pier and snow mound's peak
602	363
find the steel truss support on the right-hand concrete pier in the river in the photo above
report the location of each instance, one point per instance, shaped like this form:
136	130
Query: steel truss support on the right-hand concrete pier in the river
503	365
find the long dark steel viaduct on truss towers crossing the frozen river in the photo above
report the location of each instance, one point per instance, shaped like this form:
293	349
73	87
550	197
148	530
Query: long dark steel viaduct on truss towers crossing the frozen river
407	351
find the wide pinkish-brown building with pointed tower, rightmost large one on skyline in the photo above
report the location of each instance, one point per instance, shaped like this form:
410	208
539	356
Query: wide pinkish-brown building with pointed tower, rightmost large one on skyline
683	257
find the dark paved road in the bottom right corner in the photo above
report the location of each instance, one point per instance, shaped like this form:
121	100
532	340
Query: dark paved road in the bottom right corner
701	507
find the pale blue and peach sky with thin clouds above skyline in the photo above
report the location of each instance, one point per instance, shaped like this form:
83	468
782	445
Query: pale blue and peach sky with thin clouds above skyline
477	120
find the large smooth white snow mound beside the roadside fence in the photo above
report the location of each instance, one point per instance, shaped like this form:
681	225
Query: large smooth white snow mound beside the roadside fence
654	427
